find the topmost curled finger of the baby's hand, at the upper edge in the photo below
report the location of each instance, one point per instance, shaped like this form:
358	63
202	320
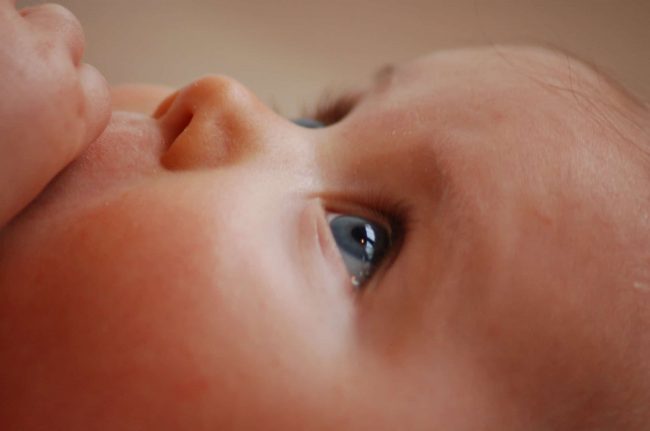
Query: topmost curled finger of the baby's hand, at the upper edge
58	22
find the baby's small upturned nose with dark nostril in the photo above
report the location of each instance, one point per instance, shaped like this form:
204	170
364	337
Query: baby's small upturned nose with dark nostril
214	121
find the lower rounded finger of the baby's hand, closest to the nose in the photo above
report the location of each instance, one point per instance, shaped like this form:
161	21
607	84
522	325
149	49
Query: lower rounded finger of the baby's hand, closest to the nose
97	96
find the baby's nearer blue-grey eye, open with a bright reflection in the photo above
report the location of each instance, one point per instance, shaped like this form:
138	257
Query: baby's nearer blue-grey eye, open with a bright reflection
363	245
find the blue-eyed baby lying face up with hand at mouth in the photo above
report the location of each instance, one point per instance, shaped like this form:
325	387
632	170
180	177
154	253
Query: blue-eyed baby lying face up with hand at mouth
462	244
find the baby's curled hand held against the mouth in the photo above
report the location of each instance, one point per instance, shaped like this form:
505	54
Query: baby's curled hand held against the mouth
51	104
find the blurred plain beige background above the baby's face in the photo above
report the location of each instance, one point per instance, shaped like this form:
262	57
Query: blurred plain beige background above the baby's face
287	51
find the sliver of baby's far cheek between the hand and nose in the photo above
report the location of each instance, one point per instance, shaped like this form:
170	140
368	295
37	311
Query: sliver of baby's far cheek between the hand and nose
143	98
